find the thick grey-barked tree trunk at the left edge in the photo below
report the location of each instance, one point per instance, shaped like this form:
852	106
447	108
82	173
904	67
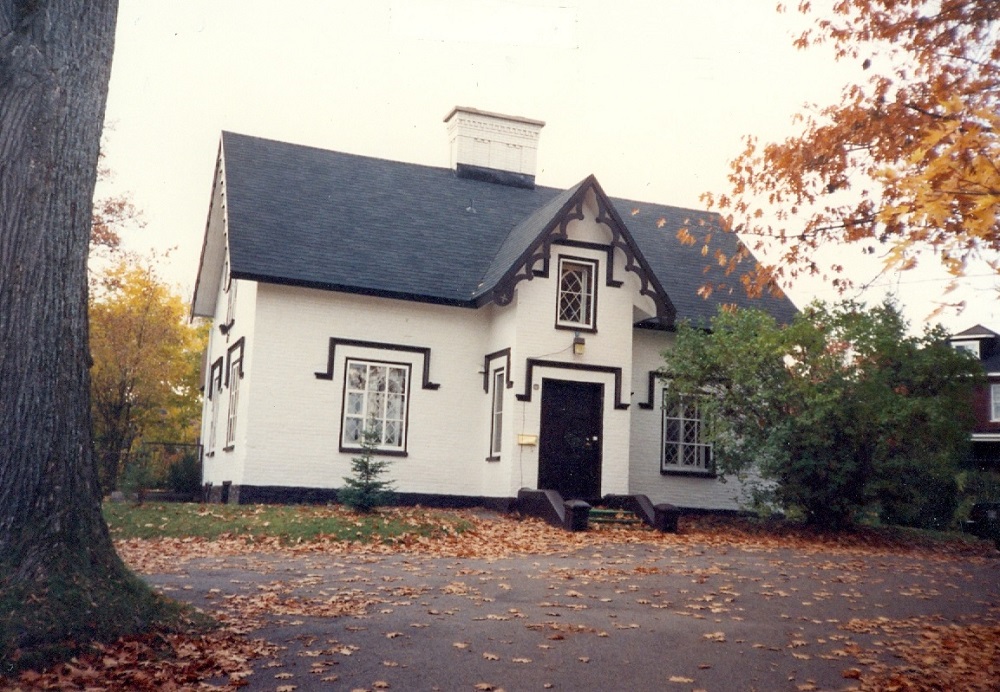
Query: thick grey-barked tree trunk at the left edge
60	577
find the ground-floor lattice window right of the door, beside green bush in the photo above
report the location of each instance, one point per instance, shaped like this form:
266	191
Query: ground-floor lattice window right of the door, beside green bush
685	436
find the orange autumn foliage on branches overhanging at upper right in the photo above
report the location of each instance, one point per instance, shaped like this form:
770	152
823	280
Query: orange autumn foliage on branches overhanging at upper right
909	159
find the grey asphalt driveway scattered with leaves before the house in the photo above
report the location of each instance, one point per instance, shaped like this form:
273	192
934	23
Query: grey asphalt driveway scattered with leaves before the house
647	615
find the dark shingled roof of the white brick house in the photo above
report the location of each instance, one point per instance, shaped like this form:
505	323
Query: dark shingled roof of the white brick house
304	216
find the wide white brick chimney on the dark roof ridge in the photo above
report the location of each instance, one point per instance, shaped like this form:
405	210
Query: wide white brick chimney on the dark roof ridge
493	147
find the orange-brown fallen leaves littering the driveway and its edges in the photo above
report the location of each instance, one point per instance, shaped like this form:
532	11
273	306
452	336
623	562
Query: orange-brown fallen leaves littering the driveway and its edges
939	655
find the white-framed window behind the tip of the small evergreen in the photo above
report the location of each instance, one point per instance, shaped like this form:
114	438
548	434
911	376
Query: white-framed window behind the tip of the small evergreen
376	397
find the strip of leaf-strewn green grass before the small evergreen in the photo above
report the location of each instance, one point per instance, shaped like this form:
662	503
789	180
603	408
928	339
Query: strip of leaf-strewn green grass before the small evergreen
288	523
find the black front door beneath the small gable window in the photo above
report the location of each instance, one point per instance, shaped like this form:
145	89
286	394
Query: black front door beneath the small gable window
569	448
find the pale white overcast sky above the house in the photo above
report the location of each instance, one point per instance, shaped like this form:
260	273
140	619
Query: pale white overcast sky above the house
652	96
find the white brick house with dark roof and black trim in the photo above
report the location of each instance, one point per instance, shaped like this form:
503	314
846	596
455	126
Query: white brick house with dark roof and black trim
497	334
